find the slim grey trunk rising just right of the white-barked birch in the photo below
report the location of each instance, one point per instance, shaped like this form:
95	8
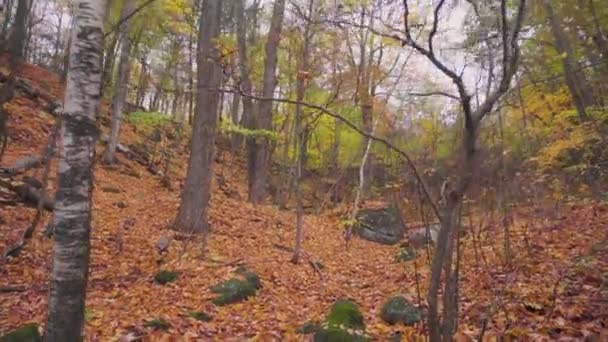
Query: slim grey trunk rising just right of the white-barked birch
122	85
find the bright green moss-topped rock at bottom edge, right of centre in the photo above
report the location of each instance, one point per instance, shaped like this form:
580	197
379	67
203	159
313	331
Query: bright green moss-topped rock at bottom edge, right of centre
343	323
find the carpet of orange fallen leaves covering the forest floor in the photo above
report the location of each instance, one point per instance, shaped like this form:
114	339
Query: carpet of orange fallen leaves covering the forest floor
556	285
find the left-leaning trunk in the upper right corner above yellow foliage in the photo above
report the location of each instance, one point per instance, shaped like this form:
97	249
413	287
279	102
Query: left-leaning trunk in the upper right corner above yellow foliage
580	91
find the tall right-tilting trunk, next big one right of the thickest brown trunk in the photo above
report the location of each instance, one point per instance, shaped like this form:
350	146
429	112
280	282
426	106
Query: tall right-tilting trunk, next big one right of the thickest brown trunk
259	156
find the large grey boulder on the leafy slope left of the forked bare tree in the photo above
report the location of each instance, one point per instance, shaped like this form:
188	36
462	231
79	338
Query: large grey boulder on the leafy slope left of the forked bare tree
380	225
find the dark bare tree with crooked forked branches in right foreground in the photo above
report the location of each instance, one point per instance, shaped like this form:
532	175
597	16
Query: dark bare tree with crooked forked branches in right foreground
448	210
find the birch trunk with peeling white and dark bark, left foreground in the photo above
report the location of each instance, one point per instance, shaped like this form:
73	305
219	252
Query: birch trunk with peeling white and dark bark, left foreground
73	204
